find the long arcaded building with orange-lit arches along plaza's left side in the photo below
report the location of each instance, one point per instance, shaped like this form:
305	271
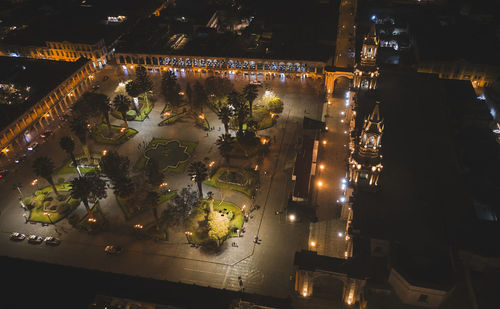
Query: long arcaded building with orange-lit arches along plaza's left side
49	97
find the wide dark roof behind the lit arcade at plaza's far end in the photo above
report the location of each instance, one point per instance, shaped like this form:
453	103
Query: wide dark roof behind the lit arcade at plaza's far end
298	32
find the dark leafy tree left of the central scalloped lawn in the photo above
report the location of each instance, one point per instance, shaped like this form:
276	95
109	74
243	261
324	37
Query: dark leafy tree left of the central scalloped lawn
116	168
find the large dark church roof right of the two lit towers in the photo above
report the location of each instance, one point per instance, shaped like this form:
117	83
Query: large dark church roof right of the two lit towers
420	188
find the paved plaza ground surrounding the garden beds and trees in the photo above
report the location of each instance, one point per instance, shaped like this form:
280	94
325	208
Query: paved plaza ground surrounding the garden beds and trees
265	267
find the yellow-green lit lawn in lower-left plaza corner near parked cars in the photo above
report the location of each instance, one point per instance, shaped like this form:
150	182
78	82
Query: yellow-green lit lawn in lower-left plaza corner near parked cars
46	201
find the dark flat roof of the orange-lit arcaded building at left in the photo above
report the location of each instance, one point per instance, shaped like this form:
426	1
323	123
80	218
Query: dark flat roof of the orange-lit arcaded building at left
42	76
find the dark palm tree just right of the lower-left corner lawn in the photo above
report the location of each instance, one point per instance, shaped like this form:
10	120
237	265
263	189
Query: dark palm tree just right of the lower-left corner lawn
88	187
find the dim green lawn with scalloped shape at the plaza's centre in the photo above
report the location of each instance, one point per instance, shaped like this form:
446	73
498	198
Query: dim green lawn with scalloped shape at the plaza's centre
171	155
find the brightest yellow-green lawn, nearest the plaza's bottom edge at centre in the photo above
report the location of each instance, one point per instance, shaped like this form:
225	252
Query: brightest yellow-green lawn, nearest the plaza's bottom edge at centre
197	222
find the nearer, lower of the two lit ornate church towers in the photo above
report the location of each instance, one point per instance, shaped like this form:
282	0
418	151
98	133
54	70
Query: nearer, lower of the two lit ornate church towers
365	162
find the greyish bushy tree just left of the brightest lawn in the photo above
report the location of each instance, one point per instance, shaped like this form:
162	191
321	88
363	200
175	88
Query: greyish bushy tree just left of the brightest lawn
181	206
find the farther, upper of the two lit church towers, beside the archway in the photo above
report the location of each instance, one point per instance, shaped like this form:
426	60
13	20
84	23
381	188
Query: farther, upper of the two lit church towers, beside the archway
366	72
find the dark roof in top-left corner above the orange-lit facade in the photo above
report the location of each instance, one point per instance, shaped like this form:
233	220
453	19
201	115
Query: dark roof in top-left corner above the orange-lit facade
72	21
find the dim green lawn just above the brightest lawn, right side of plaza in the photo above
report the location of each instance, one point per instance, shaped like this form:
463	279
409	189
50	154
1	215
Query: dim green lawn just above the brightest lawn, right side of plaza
235	179
